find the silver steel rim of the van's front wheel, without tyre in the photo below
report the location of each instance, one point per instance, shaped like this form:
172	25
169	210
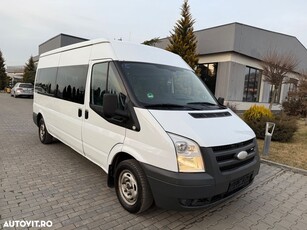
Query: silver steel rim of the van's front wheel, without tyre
128	187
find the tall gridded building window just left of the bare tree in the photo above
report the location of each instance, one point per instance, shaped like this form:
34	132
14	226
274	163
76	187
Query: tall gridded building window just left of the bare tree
252	84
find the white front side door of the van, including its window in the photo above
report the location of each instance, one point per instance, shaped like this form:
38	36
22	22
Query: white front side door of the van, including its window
100	135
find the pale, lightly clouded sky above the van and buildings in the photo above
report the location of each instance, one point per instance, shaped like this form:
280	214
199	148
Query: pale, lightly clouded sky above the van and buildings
27	24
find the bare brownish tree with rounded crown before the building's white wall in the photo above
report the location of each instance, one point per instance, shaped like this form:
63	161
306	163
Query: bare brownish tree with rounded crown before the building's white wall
276	67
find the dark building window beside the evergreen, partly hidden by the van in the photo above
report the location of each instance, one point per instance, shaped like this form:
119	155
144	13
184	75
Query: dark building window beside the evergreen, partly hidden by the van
208	72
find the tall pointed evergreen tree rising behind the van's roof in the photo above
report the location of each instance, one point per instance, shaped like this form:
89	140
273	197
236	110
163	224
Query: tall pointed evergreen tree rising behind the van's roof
183	40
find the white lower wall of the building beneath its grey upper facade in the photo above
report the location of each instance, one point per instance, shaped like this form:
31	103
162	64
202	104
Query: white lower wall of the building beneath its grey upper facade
230	80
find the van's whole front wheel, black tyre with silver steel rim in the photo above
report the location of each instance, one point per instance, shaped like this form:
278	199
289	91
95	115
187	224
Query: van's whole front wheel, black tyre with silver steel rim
132	188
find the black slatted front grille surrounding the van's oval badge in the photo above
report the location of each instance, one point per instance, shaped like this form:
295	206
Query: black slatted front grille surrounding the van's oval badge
226	155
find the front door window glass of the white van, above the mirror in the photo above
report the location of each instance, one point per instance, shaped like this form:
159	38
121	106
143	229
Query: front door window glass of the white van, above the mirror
105	79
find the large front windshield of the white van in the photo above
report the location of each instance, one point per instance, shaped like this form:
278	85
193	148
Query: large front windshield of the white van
167	87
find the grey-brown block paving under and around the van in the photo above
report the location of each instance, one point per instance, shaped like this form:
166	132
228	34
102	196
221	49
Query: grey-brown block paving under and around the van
52	182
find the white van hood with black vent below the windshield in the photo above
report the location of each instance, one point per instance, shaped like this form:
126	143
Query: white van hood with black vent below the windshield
207	128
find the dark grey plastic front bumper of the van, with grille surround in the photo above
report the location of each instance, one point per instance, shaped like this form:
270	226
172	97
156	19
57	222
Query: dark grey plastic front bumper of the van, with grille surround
182	191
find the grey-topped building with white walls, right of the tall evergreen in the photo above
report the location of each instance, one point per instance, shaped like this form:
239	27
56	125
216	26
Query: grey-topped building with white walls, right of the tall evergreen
229	56
